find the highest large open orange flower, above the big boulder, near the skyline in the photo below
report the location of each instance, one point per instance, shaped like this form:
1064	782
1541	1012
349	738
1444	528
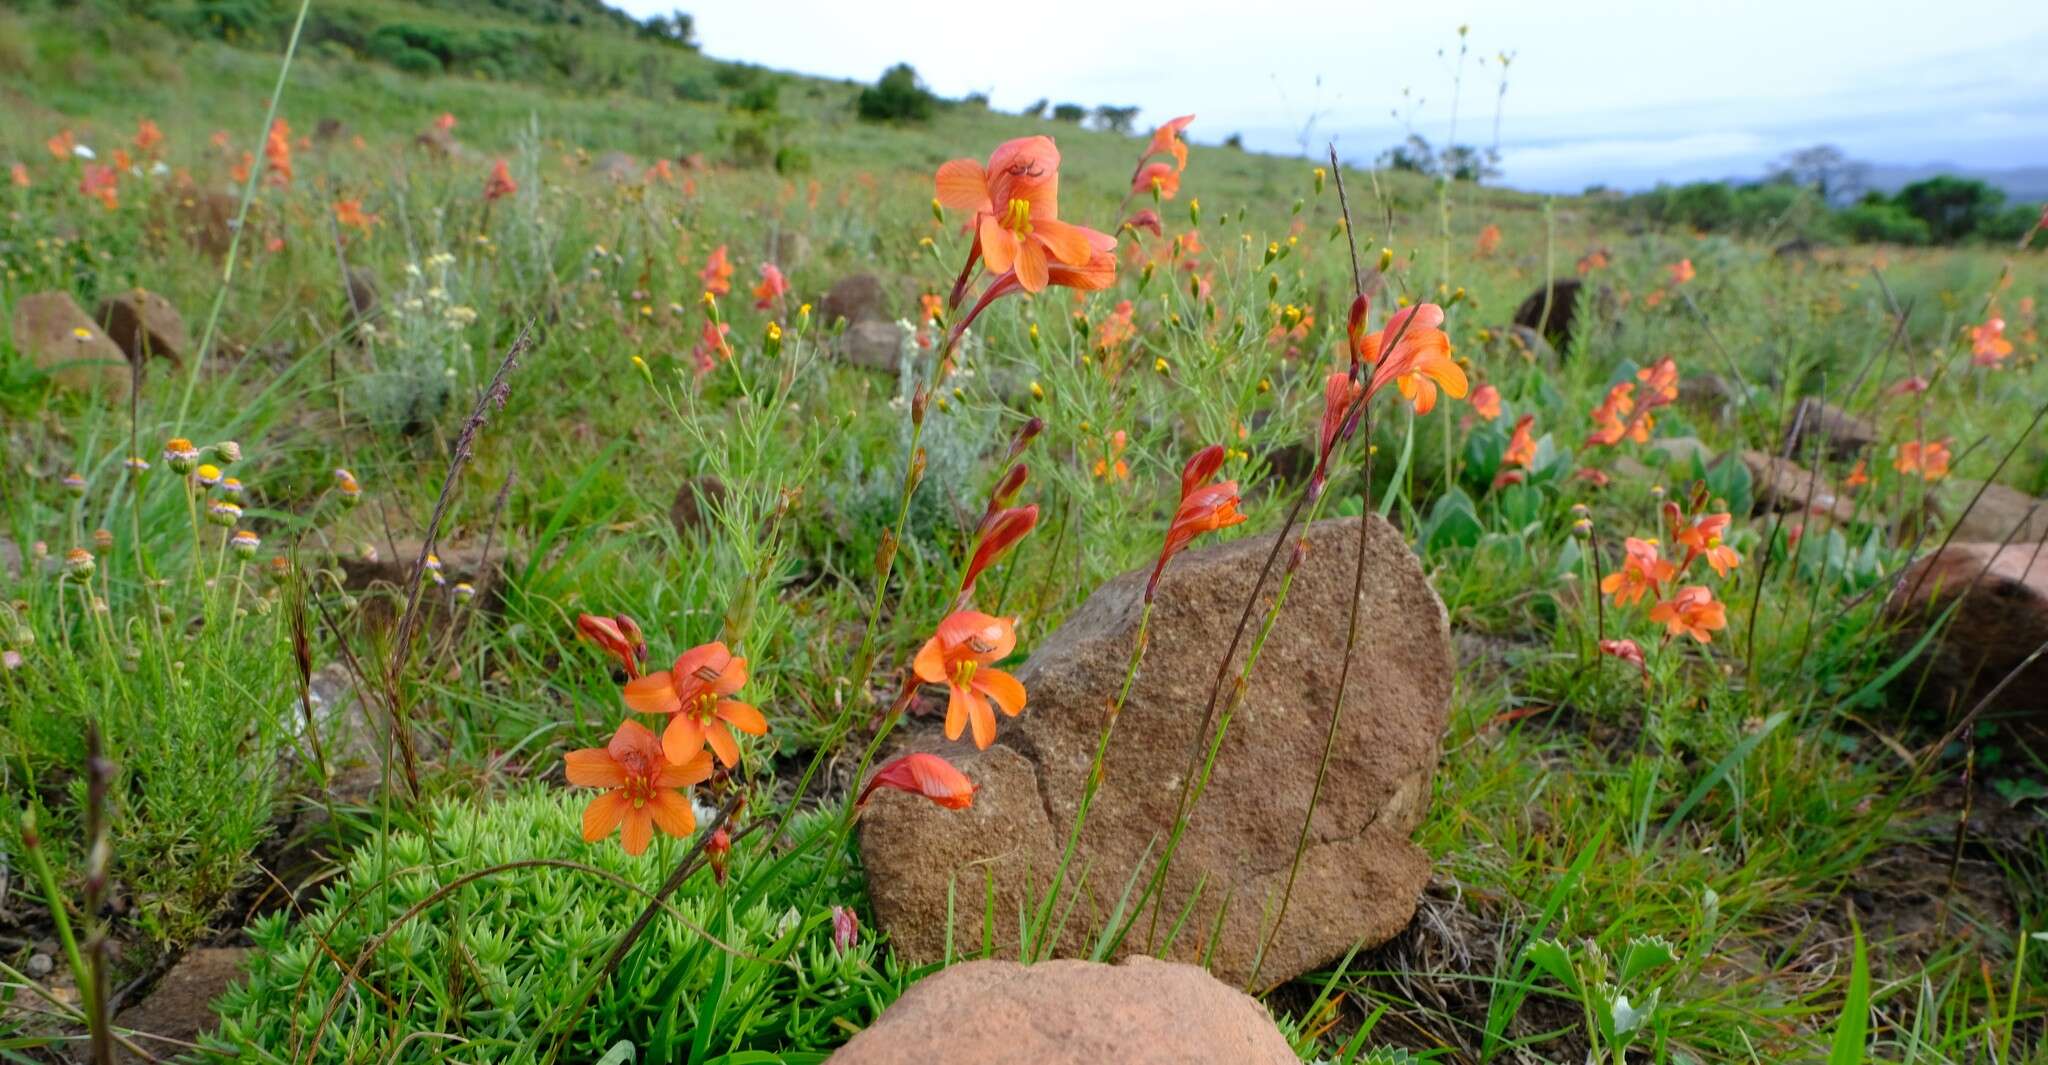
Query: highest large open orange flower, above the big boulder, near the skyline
1017	212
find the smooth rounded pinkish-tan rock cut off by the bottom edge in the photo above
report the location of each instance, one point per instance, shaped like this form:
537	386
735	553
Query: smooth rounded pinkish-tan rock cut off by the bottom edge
1070	1013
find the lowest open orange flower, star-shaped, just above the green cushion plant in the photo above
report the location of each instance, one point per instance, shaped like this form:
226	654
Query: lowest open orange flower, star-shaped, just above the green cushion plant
644	787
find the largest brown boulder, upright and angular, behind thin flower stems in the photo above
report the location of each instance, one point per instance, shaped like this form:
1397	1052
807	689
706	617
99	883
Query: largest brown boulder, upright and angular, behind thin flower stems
1361	874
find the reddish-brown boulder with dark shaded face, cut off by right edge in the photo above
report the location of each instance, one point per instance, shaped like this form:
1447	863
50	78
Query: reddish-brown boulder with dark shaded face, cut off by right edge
2002	617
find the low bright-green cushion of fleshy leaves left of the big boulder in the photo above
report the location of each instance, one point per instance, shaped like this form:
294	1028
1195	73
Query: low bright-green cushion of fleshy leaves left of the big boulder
497	962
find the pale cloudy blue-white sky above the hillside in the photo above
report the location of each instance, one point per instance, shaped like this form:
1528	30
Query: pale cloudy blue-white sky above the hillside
1598	91
